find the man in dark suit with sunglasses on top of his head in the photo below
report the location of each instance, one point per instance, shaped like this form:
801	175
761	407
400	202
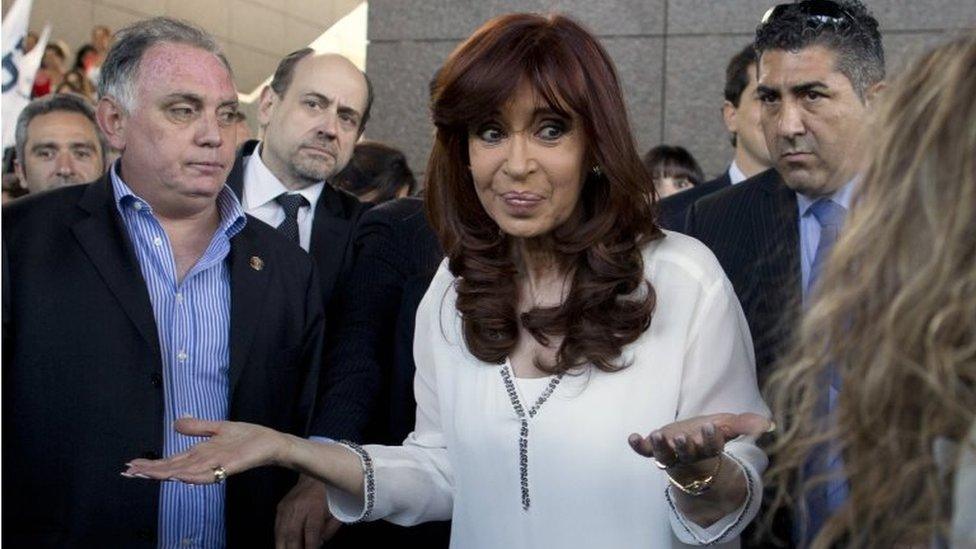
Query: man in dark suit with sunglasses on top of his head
821	66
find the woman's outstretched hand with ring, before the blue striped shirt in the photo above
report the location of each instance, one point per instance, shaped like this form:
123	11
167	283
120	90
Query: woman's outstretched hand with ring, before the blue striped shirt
232	448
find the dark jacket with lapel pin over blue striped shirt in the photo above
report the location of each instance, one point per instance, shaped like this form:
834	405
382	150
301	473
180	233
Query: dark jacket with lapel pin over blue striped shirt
83	376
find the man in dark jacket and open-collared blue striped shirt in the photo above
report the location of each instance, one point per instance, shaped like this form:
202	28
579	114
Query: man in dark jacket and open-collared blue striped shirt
104	284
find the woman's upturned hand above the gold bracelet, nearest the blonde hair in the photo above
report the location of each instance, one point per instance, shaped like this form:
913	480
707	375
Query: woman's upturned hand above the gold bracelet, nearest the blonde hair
690	447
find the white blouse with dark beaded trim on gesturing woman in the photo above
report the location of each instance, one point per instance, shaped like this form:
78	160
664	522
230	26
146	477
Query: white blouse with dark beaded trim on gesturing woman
586	487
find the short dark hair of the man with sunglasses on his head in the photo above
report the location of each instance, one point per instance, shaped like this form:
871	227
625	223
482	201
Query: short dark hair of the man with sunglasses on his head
855	38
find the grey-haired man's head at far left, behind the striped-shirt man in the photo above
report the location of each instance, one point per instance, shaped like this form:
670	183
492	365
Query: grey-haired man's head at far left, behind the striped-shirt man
58	143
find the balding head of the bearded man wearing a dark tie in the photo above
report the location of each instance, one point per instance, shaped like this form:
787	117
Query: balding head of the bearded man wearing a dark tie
313	112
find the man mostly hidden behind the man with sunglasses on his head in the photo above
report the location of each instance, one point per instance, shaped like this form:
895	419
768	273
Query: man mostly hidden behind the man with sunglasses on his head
741	114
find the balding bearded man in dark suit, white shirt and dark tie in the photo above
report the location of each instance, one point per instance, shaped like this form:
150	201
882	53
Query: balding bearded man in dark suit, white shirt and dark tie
312	113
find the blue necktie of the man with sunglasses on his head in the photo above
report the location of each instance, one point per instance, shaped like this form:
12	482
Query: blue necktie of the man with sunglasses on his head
823	500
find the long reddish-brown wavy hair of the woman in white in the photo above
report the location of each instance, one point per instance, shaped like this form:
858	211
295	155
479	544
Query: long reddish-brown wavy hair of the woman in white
609	303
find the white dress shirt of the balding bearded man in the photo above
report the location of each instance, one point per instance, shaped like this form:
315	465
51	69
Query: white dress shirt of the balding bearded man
261	187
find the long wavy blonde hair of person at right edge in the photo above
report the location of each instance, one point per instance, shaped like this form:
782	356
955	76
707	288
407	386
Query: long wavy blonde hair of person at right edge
896	319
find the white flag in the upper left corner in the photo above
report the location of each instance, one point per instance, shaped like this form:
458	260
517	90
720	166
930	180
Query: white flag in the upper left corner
19	68
